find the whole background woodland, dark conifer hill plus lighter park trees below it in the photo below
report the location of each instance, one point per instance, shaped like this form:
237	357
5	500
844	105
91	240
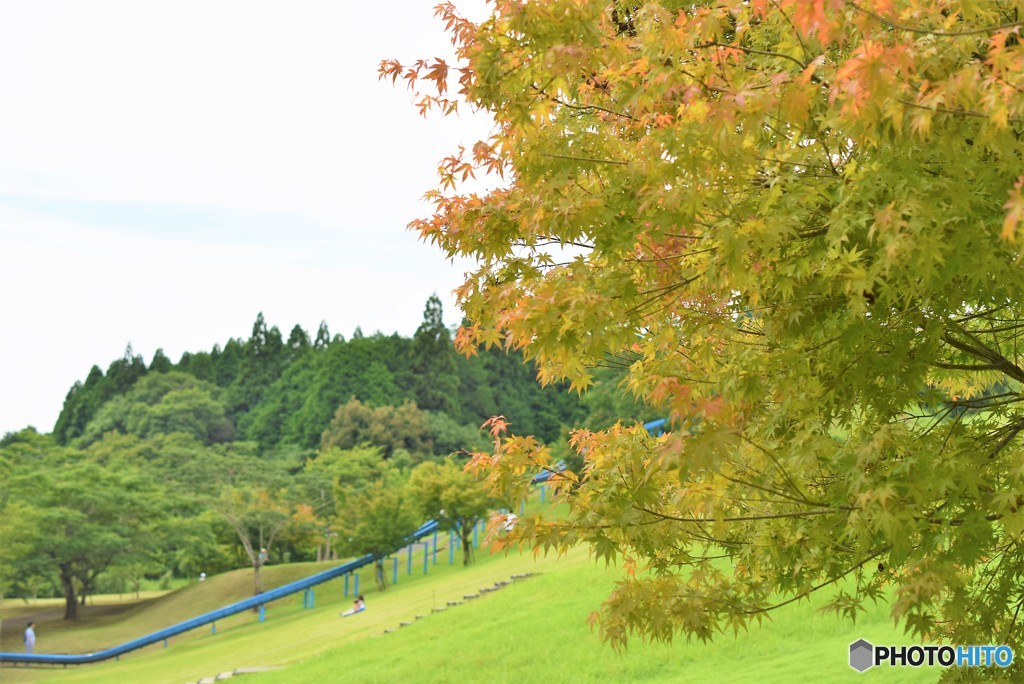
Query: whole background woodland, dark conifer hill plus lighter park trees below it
268	450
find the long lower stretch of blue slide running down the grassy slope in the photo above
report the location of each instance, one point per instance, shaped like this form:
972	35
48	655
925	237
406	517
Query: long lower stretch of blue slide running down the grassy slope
257	602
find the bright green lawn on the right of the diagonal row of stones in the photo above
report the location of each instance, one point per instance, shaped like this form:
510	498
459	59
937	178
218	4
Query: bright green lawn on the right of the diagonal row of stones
536	631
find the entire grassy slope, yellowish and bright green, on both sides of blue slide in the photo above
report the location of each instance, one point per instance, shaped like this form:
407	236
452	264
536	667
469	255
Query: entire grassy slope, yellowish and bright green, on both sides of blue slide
533	631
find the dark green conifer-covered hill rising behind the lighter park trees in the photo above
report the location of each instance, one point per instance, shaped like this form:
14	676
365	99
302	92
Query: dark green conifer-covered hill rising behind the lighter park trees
277	391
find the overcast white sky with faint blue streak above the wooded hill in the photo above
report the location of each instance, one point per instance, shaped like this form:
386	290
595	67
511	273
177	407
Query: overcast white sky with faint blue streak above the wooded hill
170	169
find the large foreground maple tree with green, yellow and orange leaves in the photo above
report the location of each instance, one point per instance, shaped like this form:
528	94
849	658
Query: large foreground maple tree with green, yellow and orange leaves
798	225
